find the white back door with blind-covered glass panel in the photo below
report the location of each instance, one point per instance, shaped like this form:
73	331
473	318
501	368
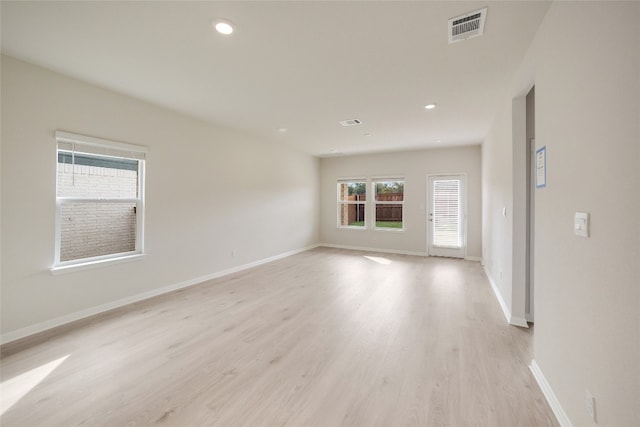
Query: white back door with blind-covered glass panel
446	216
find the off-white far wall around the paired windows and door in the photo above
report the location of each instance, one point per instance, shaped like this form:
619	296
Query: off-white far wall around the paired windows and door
414	166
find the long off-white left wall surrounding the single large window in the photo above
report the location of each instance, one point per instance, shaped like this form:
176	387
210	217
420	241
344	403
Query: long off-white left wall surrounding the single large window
208	191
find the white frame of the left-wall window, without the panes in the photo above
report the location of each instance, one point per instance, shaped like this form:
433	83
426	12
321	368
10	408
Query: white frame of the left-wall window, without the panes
108	149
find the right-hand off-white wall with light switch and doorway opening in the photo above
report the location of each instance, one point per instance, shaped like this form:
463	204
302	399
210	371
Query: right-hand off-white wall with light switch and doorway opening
585	63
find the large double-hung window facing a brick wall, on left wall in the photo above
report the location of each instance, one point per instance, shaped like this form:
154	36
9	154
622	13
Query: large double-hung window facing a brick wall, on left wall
99	200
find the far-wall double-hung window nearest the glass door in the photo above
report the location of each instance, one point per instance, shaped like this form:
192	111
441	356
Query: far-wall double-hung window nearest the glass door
388	204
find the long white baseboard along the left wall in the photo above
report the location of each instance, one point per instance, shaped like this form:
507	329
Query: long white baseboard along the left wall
78	315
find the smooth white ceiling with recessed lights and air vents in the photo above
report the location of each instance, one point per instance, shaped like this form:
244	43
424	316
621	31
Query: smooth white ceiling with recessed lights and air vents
302	66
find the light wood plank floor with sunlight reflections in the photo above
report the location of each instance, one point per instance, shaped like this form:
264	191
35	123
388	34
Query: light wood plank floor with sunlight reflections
326	338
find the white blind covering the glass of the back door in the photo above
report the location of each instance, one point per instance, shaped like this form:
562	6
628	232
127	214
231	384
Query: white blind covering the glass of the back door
447	213
